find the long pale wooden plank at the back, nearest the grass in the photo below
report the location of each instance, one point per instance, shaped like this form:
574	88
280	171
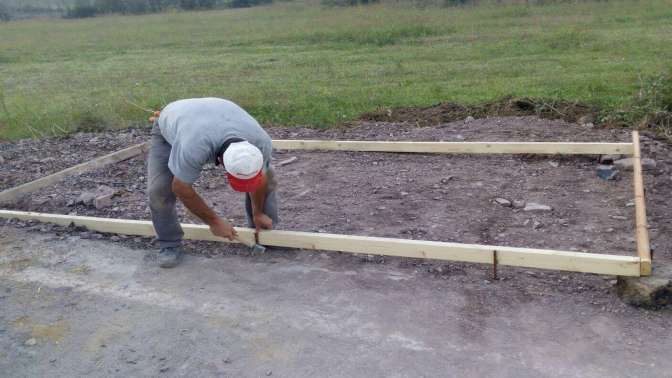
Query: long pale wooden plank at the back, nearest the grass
458	147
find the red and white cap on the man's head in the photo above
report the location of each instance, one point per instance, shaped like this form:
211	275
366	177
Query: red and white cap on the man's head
243	162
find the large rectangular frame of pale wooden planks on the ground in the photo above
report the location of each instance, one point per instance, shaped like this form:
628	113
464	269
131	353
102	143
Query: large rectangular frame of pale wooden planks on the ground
522	257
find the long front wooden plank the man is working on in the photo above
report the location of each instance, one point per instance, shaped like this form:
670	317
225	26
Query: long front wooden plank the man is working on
523	257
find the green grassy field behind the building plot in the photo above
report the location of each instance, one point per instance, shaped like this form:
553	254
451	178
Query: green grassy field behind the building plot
303	64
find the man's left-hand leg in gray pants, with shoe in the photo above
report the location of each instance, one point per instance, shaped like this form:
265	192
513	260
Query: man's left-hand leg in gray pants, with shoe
162	200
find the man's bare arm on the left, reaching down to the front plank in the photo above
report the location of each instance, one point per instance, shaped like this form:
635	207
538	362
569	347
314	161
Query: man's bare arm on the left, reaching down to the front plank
218	226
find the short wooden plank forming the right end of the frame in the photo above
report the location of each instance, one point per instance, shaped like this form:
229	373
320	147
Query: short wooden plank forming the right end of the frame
642	232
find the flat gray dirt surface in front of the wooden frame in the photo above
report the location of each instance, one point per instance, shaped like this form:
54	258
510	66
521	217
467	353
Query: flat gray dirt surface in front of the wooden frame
74	307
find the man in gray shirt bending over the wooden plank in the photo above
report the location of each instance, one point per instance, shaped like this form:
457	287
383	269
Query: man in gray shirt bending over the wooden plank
187	135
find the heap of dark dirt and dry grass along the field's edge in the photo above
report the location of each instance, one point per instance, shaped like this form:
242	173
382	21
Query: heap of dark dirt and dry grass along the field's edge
509	106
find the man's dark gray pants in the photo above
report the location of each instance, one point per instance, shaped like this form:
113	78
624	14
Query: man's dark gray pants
162	199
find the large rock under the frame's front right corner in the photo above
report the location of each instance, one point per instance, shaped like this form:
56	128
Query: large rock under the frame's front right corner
654	291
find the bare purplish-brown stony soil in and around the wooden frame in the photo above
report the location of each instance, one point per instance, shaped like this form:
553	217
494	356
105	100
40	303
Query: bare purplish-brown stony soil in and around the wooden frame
428	197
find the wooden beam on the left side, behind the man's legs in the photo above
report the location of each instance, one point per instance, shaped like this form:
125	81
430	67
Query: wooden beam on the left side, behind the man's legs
13	194
